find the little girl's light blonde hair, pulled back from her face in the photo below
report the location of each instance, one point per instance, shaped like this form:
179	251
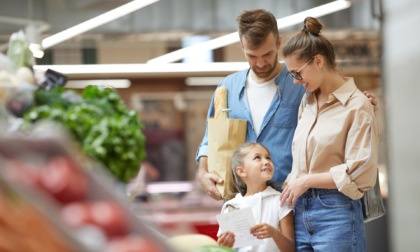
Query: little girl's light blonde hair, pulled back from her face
237	161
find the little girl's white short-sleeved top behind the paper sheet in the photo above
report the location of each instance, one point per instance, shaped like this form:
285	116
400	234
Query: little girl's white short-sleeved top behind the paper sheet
266	209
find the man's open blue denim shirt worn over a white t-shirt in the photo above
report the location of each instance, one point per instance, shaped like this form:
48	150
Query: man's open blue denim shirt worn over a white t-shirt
279	123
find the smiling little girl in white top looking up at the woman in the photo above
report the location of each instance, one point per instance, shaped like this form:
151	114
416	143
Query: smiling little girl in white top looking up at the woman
252	168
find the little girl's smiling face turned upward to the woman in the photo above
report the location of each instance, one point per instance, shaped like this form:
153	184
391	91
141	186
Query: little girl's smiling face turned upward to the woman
258	165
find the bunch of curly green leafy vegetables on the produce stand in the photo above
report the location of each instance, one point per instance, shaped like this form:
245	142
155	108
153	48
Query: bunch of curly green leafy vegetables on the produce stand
101	122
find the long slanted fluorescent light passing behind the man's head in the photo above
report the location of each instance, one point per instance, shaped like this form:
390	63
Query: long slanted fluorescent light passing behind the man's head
234	37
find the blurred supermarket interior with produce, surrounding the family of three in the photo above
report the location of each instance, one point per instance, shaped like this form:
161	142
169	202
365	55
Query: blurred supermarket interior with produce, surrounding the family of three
104	103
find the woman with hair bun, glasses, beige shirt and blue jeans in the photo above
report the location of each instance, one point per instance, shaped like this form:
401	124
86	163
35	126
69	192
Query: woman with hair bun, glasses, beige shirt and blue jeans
334	148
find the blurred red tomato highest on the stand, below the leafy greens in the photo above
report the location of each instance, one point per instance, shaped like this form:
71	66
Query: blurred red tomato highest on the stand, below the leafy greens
62	179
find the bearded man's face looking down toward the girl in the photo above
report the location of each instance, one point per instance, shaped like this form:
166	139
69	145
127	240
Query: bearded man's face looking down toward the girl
263	59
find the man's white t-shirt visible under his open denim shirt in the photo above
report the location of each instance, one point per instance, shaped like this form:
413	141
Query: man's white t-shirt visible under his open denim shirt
260	97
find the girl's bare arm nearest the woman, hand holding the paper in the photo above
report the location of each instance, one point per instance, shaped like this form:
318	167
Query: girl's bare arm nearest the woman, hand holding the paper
284	239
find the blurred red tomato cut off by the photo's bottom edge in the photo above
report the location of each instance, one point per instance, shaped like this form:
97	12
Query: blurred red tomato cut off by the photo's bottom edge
133	244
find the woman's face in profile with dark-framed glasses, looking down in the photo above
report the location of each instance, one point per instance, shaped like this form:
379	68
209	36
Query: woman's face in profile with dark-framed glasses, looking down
303	72
